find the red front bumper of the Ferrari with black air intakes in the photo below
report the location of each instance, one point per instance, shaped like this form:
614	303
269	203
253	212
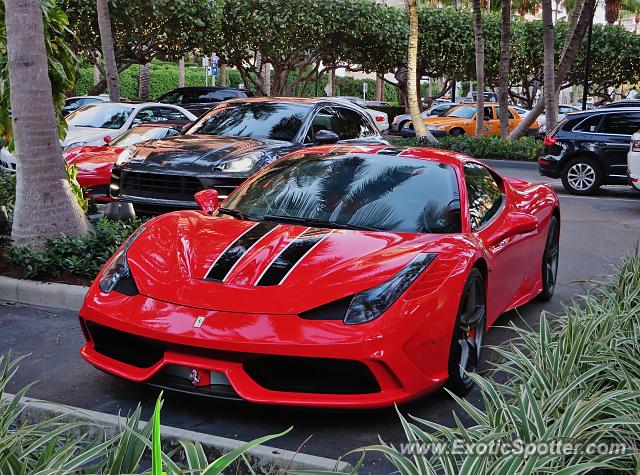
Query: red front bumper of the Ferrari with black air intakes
269	359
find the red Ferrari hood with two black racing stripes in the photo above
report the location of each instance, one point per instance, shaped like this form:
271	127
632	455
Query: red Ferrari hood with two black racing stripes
296	268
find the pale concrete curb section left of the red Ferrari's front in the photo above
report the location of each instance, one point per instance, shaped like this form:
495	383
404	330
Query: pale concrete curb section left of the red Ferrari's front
46	294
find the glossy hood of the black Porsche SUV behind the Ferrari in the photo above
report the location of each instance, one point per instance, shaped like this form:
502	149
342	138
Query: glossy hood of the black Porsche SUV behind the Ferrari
201	154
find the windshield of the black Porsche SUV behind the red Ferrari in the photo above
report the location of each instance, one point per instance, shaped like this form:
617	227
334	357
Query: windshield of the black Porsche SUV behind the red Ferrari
264	120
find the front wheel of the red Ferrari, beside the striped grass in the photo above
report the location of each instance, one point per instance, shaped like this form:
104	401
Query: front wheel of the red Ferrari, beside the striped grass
468	334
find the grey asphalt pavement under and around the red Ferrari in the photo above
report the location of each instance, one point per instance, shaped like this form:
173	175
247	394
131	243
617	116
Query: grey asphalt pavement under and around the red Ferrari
596	233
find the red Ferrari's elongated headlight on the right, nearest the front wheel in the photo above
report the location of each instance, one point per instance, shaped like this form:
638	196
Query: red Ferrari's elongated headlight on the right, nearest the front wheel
372	303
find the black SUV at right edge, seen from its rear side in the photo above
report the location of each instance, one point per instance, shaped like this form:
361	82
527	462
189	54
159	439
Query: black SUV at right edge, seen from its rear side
589	149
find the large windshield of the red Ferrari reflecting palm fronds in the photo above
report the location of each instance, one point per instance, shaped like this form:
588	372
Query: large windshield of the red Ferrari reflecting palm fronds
387	193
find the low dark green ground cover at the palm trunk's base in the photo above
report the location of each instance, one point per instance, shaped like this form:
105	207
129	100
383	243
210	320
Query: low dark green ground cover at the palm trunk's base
82	256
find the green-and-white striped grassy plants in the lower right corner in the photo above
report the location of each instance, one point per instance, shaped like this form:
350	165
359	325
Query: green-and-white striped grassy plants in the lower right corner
576	380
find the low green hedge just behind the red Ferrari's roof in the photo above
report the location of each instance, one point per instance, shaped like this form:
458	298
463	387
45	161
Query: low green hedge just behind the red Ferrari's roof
485	146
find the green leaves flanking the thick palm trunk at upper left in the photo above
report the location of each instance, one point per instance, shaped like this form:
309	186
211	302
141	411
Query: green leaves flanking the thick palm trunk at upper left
63	65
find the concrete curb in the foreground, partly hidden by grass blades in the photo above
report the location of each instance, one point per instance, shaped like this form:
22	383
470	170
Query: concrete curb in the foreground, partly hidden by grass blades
262	456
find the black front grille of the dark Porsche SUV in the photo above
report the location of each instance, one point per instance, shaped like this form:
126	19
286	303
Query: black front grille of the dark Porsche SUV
160	186
